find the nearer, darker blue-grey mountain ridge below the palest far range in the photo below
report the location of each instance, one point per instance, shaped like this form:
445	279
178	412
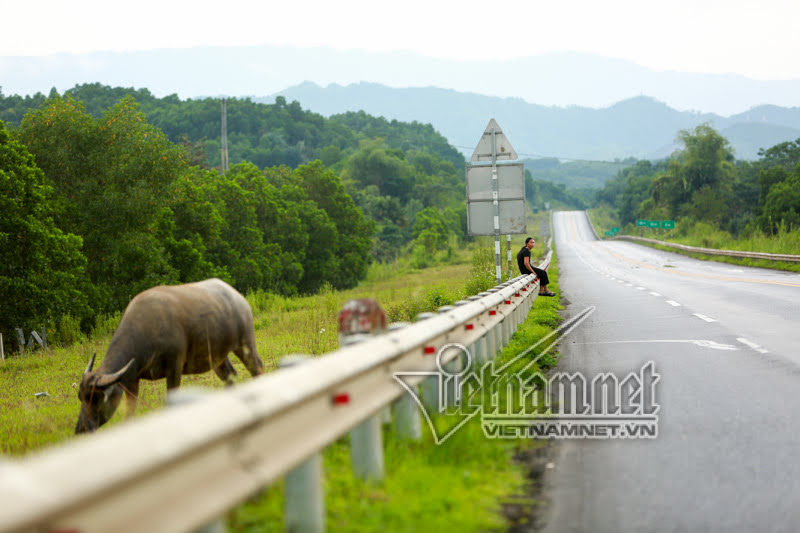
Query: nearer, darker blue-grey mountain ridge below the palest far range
640	127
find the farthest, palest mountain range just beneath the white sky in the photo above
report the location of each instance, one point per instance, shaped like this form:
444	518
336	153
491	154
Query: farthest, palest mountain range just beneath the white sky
552	79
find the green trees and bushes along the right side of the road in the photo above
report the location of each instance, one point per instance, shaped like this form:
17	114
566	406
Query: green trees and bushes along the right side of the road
715	200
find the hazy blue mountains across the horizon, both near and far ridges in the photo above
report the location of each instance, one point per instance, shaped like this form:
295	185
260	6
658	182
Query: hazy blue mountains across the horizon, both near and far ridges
565	104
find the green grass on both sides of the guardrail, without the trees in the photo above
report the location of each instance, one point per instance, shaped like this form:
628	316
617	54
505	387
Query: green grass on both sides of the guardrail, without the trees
459	485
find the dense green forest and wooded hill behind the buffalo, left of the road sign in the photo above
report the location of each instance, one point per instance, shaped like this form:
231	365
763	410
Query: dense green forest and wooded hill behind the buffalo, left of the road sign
108	191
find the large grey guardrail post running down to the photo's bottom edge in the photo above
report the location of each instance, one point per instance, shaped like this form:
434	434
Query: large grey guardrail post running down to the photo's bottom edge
304	499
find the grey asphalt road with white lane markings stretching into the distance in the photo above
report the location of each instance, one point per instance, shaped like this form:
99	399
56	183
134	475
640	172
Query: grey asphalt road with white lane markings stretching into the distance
724	340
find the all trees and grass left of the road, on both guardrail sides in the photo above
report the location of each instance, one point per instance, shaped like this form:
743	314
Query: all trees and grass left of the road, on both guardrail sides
106	192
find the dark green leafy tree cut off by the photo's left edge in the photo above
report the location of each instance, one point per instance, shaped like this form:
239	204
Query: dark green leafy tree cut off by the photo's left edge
42	271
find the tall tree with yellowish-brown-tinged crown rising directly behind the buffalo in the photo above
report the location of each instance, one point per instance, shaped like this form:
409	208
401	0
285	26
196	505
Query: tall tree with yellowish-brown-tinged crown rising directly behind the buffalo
112	177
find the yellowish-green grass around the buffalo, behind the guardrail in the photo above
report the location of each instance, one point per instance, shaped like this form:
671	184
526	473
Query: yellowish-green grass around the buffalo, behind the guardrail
284	325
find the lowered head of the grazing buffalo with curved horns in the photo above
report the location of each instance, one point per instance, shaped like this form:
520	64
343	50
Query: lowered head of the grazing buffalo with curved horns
100	394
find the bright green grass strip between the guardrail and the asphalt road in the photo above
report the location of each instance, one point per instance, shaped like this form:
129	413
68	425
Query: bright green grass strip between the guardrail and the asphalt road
461	485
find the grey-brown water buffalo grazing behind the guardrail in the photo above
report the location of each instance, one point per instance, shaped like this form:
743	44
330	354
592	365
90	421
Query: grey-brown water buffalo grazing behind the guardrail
166	332
